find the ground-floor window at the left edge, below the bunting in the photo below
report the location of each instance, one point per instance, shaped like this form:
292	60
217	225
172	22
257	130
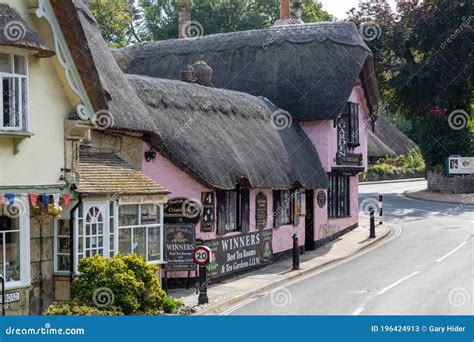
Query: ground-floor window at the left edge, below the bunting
14	242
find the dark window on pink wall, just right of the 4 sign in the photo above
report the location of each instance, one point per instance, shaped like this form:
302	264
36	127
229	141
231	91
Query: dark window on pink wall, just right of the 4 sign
227	213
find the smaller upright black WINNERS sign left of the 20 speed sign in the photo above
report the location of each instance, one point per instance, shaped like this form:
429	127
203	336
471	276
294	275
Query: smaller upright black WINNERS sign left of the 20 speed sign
180	242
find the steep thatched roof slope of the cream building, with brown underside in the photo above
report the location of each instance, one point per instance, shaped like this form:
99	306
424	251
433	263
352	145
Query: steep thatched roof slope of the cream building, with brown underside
105	83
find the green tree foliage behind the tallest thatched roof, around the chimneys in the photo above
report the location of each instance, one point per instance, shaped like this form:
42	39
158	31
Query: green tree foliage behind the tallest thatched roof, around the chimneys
128	21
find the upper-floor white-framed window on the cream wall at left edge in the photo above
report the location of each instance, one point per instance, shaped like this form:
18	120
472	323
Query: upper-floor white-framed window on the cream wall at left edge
14	90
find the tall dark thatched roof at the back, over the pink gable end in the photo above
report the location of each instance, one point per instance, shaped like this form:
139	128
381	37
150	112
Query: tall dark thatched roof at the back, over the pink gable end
309	70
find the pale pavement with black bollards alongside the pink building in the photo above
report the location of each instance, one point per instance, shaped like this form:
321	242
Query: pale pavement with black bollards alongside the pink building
280	272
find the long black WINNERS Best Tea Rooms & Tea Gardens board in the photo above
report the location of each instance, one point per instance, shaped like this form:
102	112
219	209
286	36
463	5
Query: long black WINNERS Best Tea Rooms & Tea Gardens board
239	252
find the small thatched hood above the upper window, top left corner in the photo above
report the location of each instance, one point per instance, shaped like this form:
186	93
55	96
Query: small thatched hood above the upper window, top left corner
17	33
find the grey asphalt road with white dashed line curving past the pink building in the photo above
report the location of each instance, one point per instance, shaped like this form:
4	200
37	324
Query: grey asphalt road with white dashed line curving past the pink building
426	267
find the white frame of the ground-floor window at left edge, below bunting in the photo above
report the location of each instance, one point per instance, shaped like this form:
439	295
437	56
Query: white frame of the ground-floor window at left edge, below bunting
24	222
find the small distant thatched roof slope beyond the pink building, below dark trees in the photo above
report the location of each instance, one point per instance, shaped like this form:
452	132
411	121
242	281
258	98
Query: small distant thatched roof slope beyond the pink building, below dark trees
393	137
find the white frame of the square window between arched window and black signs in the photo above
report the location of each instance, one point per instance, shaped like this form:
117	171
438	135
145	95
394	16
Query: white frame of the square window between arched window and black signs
159	225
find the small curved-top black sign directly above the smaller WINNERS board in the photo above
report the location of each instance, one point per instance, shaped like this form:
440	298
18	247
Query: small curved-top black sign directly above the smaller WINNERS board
181	210
